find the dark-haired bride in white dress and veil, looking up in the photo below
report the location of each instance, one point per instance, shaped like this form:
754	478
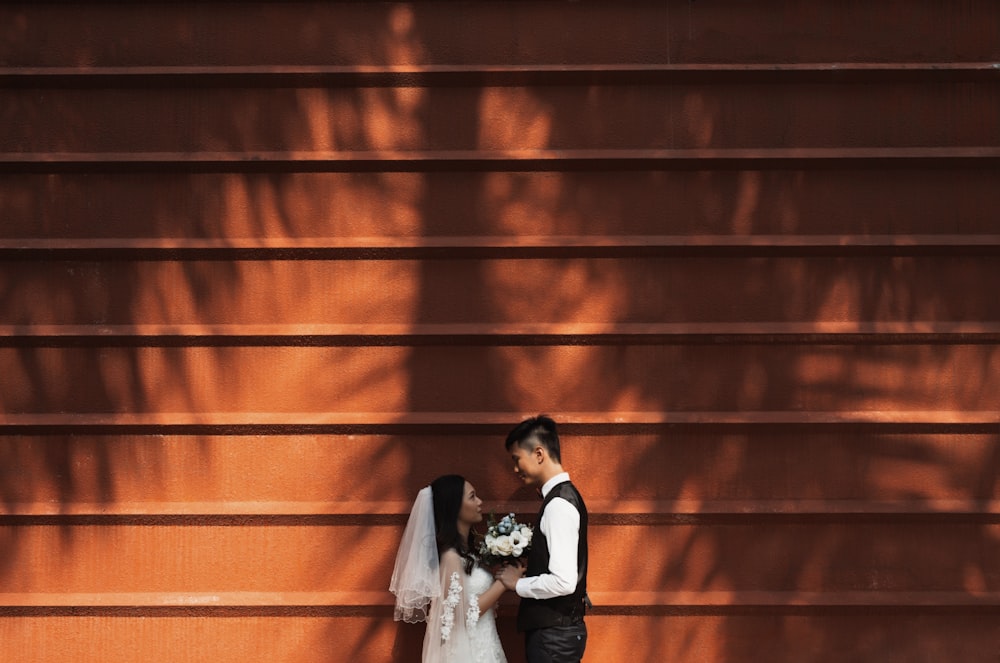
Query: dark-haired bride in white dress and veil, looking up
436	565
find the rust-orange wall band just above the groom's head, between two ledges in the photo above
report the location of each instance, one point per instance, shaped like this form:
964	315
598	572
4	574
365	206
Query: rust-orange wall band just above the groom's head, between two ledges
636	377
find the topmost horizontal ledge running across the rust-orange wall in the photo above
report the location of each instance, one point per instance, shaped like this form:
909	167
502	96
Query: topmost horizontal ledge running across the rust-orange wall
488	74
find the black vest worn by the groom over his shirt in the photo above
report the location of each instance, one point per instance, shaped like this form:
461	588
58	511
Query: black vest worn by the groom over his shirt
562	610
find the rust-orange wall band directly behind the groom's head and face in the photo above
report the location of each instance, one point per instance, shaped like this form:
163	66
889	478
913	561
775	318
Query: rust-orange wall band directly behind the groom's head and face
687	471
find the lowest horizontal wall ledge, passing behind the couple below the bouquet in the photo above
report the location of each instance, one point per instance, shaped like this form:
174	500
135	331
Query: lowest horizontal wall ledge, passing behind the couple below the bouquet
609	603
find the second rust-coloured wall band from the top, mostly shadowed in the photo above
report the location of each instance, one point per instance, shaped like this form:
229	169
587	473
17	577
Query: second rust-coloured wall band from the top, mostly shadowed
674	115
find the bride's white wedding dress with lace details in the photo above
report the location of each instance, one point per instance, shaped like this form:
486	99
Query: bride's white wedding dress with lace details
456	632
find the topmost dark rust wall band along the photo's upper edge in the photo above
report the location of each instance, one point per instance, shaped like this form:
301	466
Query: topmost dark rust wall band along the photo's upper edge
473	32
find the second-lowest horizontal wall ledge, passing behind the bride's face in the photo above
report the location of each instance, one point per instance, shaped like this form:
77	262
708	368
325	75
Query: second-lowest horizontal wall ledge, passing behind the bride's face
602	511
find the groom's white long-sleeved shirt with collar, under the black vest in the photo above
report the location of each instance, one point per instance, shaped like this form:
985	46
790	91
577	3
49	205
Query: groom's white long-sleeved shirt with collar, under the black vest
560	523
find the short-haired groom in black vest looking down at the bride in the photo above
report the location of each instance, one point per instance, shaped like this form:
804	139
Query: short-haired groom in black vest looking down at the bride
553	590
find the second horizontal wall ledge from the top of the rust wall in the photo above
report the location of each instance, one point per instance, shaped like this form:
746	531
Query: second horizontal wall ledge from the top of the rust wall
499	160
